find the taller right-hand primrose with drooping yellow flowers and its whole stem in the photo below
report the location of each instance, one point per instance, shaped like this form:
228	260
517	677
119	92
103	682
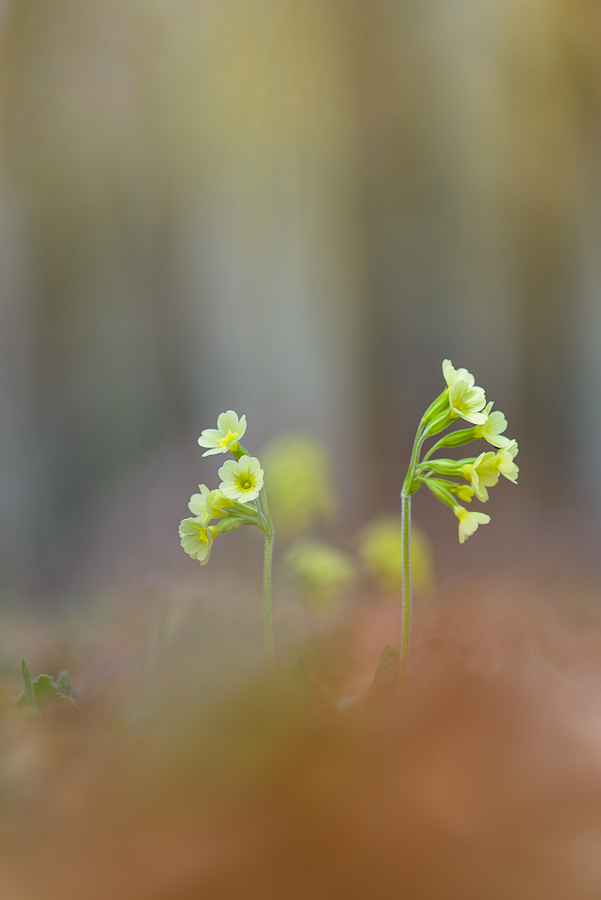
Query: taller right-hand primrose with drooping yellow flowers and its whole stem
461	399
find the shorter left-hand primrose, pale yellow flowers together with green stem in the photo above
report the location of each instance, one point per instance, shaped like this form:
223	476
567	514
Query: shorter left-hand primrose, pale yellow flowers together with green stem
241	499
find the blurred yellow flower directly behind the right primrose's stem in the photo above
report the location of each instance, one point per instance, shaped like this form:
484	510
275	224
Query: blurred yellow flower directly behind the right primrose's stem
380	550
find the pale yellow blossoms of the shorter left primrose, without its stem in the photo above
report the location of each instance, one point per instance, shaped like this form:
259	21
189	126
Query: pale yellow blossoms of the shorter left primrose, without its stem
233	502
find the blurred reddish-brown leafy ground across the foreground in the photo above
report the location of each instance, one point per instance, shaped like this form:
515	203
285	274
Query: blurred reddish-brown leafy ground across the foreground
483	781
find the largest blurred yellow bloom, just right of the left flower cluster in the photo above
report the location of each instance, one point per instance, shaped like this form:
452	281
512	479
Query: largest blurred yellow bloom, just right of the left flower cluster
300	488
